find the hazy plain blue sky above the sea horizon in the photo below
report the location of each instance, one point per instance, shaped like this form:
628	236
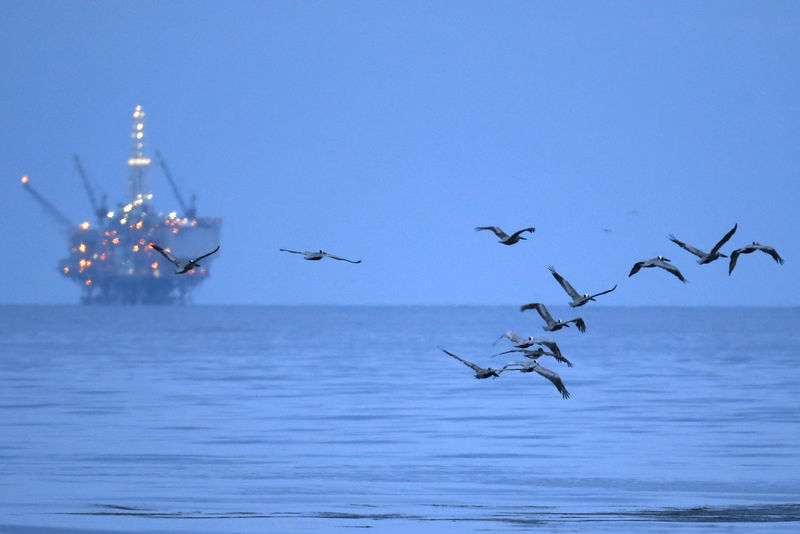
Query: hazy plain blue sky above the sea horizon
387	131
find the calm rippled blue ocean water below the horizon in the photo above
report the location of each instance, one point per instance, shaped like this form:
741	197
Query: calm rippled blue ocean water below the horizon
324	419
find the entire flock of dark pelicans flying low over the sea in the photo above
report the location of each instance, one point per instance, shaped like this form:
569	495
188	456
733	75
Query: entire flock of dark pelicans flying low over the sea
523	345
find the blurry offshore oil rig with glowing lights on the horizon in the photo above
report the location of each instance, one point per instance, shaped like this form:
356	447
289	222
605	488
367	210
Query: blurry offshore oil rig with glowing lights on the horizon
110	258
